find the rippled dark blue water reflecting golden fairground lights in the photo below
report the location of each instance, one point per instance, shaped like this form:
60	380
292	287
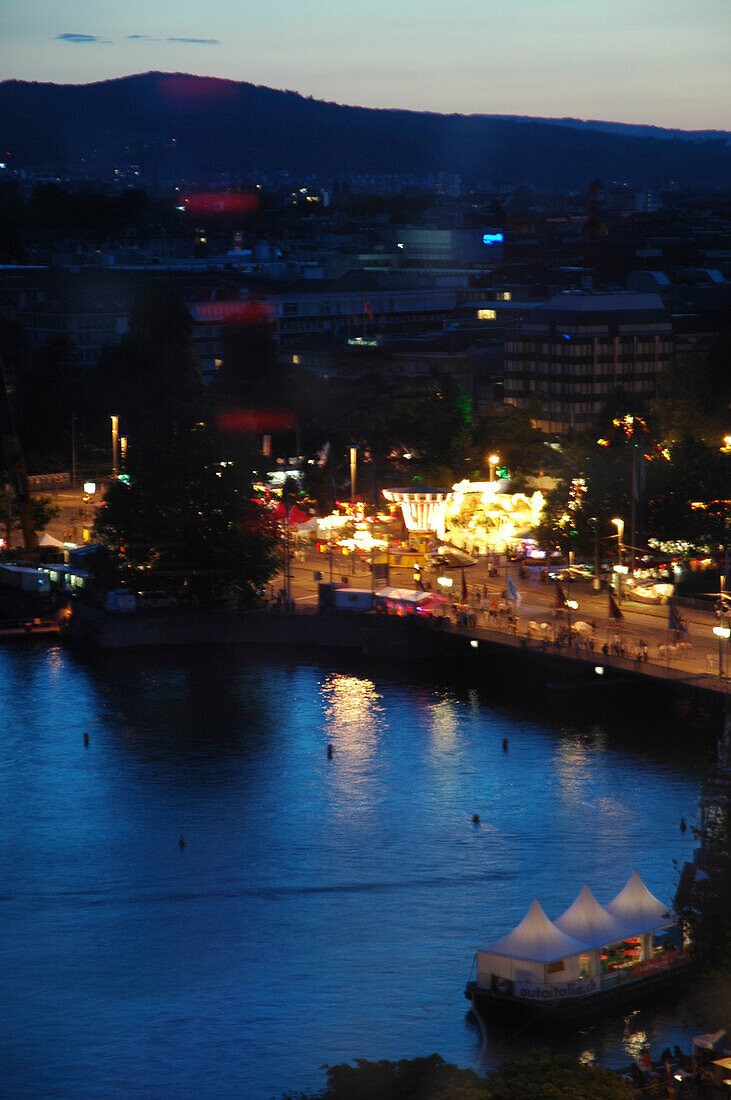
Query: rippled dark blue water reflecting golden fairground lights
320	910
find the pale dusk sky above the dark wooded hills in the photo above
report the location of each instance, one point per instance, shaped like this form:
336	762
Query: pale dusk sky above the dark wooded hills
660	62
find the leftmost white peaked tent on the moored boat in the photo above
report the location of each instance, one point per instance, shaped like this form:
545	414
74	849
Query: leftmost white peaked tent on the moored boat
525	953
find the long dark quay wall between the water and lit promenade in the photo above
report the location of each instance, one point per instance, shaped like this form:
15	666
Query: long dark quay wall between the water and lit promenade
477	652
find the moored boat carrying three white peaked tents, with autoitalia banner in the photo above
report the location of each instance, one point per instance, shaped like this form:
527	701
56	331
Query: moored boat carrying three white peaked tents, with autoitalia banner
592	960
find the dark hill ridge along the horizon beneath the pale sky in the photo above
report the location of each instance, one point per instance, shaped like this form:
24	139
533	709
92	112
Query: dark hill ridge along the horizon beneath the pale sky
186	127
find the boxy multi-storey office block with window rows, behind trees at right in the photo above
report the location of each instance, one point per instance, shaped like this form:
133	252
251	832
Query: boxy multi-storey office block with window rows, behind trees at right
573	351
